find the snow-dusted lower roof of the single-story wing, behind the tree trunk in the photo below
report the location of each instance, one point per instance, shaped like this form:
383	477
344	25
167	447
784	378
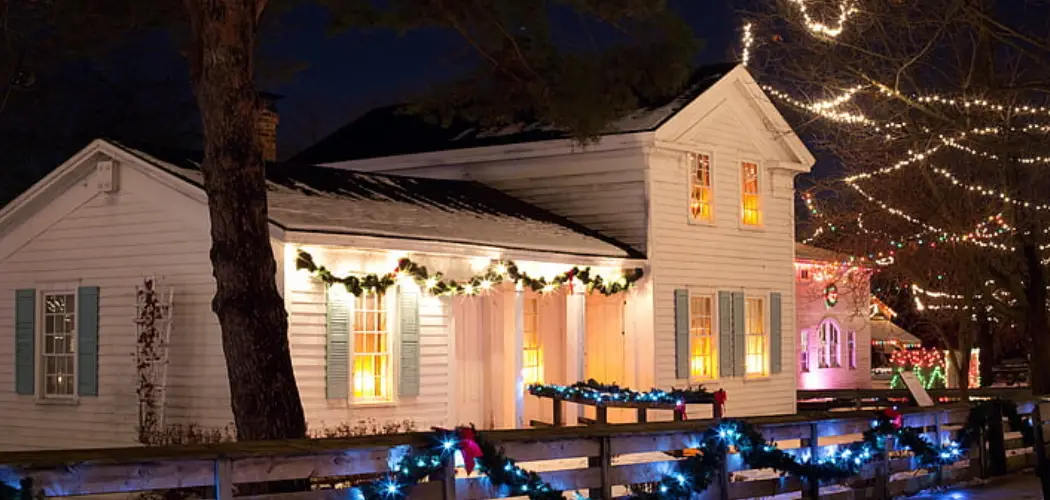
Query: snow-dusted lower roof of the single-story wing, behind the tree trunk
308	198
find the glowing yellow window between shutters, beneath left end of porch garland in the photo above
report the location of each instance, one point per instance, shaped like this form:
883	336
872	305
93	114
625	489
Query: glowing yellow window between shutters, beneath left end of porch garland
372	372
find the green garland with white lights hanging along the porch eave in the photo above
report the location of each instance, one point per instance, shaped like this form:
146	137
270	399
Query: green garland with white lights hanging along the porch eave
494	275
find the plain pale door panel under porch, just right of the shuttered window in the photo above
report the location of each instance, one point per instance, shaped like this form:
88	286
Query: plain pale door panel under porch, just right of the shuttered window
472	367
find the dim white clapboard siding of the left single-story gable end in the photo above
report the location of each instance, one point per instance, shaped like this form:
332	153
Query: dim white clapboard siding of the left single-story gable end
113	242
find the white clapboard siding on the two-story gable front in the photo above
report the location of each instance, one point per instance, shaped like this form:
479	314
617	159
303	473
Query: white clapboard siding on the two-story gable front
724	256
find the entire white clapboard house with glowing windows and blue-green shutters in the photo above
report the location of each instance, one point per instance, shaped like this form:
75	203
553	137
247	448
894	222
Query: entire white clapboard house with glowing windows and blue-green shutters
697	193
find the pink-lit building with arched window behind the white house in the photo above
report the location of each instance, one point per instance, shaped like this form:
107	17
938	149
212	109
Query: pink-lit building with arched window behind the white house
832	306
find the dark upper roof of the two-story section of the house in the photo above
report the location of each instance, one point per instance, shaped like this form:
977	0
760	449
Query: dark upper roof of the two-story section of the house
392	131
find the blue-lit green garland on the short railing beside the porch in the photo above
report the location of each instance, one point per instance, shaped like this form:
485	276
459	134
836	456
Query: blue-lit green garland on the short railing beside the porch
595	391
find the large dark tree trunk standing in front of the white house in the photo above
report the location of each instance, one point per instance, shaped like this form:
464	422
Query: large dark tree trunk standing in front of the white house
251	312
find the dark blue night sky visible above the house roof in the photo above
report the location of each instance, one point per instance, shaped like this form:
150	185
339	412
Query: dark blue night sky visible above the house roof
353	73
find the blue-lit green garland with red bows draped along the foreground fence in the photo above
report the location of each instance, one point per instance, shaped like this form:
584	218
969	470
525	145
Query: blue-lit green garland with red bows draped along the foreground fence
691	475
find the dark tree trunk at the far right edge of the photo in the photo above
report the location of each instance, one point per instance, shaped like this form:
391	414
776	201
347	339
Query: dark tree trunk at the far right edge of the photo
1036	320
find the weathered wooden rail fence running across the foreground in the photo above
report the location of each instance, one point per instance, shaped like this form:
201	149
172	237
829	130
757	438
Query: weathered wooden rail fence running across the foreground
601	460
